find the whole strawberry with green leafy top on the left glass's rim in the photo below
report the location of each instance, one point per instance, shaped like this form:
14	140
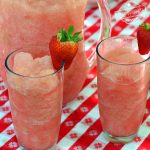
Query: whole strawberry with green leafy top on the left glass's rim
64	46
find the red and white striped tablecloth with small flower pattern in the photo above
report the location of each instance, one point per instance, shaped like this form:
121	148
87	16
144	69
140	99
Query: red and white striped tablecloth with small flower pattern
80	125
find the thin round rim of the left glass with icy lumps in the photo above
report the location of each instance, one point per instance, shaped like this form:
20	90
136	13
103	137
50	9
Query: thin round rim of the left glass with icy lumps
25	76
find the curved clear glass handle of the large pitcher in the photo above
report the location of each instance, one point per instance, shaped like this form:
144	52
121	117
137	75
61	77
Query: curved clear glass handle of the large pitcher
105	28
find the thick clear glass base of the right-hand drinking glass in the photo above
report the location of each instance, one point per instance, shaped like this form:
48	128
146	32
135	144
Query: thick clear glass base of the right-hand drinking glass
118	139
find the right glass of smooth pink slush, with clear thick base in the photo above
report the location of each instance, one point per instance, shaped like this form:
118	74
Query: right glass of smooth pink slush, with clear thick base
123	83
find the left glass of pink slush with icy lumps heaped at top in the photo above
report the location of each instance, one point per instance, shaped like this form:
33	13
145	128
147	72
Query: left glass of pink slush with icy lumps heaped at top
36	94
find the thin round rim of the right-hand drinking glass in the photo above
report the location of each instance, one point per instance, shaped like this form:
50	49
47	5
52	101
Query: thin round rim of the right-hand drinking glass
121	64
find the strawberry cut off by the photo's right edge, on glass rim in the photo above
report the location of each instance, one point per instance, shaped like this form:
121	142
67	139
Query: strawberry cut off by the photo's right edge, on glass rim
143	37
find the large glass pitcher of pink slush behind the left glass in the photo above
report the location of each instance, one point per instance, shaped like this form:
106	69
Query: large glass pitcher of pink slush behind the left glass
25	22
